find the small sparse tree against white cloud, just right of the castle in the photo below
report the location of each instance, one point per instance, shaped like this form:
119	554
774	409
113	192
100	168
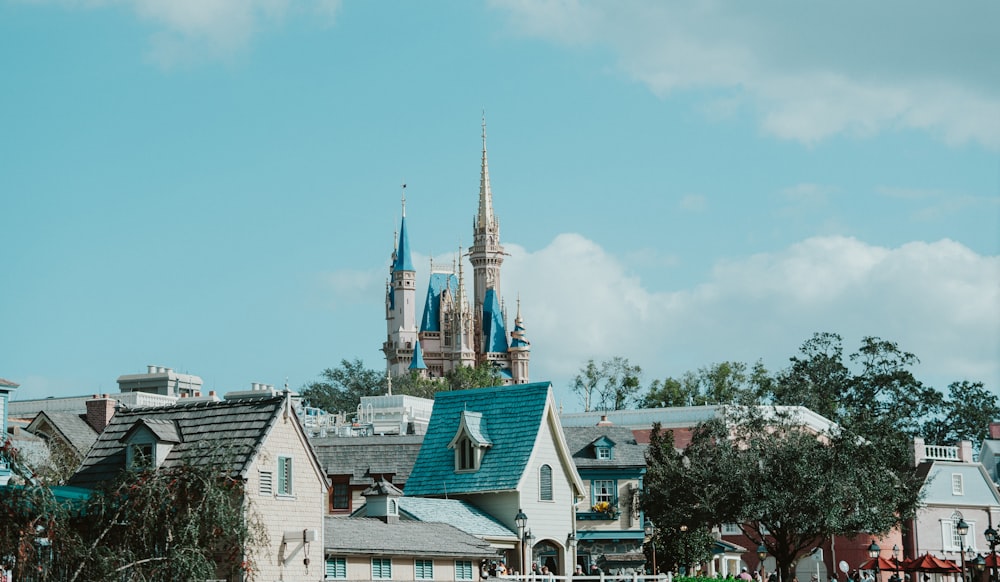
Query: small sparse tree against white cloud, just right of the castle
615	385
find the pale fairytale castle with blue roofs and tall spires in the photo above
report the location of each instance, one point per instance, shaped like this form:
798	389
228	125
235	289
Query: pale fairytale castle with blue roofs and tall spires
454	330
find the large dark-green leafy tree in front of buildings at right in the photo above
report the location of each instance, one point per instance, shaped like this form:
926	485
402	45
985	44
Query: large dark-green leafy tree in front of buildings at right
769	473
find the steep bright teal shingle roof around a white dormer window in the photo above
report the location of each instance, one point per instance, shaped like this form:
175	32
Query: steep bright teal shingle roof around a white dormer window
512	415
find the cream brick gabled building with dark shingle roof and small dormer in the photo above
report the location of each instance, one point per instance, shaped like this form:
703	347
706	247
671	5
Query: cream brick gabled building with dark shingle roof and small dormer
284	483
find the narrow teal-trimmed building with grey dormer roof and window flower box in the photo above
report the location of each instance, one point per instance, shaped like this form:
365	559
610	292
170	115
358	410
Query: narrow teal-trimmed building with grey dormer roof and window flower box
609	521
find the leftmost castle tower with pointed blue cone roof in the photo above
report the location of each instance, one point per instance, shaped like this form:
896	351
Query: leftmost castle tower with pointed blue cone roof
400	304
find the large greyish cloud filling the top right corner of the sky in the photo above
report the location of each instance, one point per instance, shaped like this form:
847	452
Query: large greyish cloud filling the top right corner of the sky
811	70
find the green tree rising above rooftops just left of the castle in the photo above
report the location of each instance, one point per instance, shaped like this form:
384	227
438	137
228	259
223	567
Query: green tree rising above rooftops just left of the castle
342	388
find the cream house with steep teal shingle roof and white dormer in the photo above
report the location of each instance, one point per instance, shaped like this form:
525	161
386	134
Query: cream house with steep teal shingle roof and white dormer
502	450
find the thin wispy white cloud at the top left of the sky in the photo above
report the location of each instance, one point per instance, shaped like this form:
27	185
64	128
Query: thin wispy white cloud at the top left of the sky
194	30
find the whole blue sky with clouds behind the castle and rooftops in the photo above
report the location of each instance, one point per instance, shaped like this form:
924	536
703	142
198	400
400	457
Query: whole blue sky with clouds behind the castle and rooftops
214	185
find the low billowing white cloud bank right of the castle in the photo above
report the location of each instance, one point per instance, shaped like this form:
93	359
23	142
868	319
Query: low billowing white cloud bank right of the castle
938	300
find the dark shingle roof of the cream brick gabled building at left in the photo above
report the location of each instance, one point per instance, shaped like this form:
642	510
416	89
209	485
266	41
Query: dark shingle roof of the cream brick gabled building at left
236	428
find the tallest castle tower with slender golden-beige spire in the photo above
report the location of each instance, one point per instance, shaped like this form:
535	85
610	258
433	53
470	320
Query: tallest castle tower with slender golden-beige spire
486	254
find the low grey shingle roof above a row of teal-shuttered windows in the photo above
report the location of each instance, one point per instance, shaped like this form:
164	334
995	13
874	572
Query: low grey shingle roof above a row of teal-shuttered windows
372	536
